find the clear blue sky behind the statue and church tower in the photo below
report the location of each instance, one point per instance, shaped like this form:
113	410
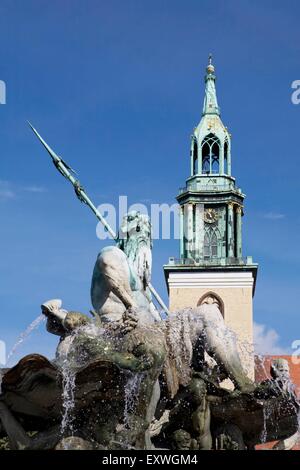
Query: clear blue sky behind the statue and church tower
116	88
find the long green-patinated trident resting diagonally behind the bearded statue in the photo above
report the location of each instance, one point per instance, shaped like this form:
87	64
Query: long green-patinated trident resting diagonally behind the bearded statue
68	172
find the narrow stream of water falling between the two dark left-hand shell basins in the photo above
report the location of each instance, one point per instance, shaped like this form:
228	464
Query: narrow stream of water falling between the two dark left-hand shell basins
68	397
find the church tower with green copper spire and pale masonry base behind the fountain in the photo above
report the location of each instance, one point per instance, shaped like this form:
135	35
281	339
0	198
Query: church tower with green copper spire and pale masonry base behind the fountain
211	267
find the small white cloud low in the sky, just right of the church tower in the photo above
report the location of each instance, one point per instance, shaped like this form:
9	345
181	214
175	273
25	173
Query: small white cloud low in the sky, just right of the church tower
266	341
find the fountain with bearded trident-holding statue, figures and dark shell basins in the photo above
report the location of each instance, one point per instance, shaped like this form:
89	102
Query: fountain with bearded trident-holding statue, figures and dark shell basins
126	378
